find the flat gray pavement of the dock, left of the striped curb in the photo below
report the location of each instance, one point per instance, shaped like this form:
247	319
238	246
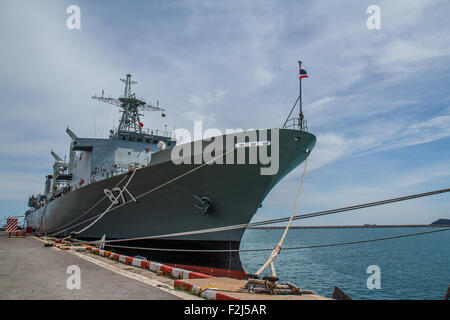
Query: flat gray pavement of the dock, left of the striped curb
28	270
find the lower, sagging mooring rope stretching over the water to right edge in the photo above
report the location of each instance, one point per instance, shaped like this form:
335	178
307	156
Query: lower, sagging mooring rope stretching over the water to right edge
284	248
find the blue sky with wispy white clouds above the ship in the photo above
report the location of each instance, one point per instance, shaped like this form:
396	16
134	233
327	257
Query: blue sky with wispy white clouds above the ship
378	100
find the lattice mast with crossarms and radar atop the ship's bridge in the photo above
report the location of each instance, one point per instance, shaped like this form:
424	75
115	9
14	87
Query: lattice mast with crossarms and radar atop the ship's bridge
130	121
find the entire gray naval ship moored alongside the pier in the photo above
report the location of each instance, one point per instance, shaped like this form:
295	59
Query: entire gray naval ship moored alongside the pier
145	195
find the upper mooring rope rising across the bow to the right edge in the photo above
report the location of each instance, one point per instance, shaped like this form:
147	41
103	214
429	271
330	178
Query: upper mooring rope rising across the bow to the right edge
278	220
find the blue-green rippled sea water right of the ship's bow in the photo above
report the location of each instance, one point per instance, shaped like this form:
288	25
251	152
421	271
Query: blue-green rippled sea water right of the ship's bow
410	268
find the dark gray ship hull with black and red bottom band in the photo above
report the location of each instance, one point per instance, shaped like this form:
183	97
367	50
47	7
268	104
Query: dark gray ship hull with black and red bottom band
167	206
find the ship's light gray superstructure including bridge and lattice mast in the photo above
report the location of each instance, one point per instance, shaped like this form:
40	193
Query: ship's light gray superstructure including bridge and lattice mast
94	159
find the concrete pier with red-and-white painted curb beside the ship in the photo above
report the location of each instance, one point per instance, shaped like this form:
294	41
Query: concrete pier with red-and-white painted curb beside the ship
31	270
